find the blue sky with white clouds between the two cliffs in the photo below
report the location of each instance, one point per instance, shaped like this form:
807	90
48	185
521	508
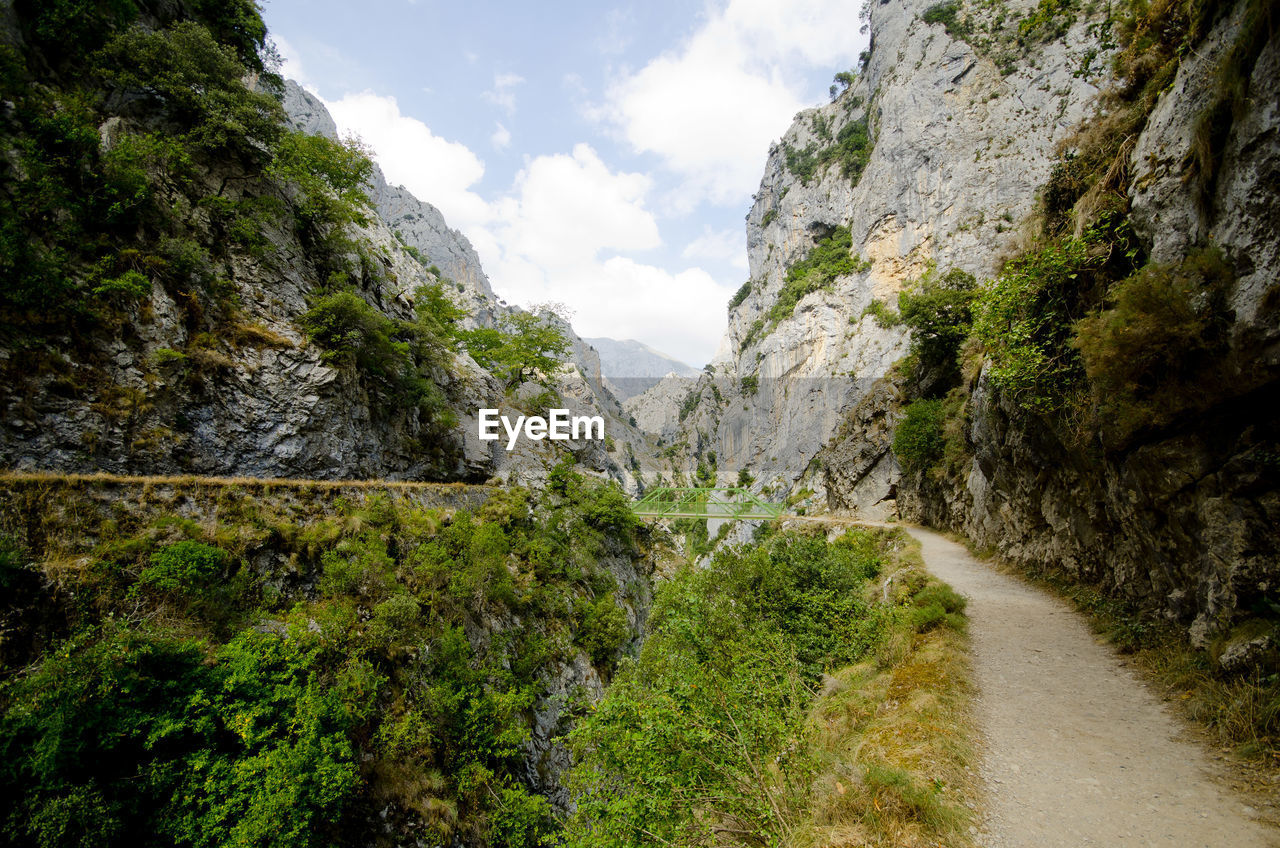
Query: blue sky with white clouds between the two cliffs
597	154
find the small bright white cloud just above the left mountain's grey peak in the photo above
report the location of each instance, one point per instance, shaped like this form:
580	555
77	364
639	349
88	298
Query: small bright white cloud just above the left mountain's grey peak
437	171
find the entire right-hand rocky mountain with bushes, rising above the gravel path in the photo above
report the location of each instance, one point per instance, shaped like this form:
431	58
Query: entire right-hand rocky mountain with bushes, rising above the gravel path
1080	207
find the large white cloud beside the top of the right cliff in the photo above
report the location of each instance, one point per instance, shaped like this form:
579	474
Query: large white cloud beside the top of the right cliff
711	108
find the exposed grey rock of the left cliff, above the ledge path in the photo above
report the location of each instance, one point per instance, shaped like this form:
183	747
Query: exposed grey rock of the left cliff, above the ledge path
166	395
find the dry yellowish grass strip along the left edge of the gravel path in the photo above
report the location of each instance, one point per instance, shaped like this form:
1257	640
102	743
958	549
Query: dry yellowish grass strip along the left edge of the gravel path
897	736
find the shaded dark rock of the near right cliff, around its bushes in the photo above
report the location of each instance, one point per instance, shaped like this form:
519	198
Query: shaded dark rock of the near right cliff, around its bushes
1185	521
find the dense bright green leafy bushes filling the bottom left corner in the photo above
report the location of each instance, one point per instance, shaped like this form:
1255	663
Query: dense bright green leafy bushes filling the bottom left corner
124	740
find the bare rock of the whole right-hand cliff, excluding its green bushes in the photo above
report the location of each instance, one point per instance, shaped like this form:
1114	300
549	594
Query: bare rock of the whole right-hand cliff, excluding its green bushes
966	129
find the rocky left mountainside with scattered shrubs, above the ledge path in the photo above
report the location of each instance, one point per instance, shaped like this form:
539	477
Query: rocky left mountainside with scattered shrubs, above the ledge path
186	340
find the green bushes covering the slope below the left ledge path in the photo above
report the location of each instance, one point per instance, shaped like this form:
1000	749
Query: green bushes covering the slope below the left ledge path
355	687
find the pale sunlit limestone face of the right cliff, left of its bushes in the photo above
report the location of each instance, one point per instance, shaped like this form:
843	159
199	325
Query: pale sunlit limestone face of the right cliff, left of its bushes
958	152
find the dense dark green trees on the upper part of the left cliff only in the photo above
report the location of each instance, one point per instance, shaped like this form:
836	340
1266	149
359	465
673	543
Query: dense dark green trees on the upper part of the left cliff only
190	154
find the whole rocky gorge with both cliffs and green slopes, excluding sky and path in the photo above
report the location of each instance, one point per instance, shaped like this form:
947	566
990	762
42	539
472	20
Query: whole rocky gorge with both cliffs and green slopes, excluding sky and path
276	575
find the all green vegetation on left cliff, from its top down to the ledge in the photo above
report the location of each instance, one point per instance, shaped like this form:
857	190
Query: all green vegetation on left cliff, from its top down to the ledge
149	185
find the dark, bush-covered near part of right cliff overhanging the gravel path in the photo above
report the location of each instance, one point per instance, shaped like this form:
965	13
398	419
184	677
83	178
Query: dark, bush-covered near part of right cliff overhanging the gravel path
1085	354
